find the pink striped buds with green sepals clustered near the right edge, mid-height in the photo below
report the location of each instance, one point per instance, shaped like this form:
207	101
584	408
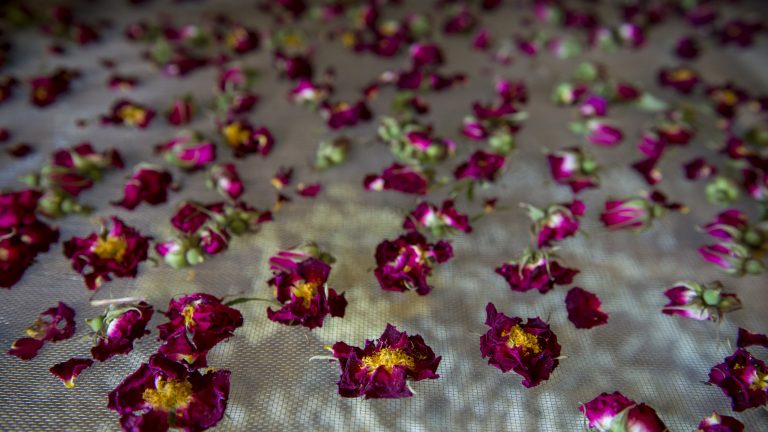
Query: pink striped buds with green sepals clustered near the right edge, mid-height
740	245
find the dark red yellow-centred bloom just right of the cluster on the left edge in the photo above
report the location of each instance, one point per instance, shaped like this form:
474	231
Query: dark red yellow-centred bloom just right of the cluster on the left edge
116	252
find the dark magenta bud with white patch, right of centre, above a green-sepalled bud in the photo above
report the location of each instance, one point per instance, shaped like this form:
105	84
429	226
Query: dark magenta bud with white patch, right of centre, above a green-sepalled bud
573	167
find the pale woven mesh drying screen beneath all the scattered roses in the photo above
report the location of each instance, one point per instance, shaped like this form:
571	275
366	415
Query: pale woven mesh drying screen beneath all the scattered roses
650	357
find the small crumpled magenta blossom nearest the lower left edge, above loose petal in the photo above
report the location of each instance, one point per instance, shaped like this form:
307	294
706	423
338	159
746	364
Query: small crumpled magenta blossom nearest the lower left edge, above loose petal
54	324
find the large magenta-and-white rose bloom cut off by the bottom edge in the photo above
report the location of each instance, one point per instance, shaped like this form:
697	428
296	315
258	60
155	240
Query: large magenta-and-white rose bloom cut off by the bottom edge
616	412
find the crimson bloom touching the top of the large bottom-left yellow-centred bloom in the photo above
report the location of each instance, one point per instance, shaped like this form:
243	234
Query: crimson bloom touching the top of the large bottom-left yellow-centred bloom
196	323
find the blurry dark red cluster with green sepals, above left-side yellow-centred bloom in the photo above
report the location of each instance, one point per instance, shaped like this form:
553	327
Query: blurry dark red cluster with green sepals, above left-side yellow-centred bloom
70	172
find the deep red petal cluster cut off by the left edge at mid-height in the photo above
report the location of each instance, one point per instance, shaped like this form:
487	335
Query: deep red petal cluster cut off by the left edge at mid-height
22	234
